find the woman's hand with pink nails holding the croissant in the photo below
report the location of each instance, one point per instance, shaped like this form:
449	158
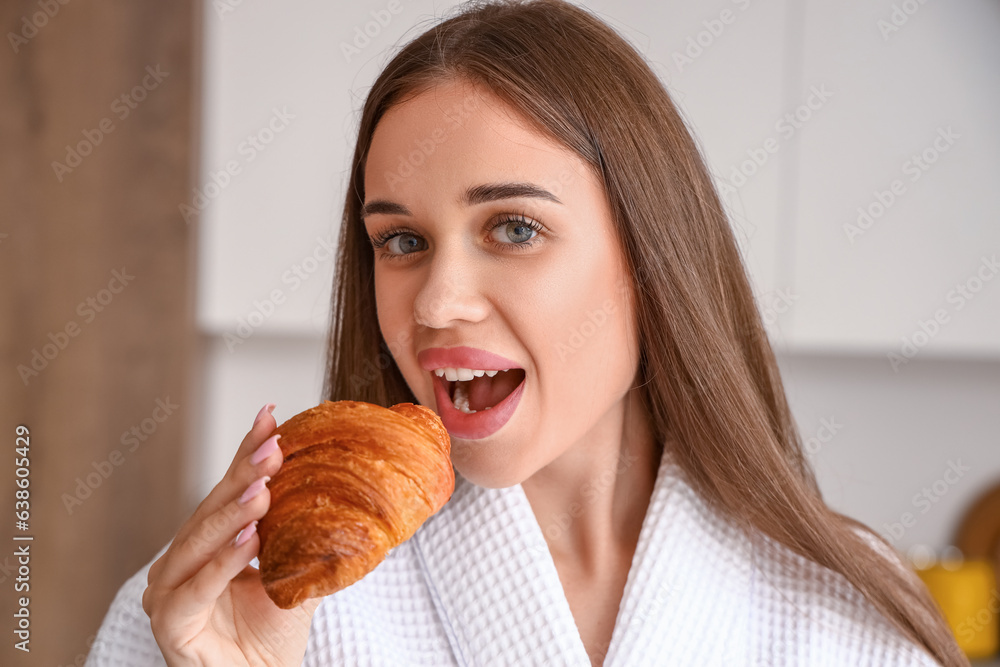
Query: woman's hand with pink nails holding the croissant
206	603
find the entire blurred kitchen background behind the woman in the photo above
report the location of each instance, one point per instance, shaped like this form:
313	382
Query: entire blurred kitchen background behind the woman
172	177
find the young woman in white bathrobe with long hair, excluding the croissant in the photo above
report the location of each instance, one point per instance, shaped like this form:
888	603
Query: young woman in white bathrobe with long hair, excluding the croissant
531	245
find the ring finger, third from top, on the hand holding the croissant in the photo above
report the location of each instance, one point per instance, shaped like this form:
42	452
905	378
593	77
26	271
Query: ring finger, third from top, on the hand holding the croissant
212	535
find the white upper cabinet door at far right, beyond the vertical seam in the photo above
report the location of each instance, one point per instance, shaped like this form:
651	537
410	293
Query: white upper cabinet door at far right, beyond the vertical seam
896	216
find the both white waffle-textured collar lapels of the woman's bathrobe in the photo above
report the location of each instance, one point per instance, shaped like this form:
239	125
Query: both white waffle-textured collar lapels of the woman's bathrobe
498	592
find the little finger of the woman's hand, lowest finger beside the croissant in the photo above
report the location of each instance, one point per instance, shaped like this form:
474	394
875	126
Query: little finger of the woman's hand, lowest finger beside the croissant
201	591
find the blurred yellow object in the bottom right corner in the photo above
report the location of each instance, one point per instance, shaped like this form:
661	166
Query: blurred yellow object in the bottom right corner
967	593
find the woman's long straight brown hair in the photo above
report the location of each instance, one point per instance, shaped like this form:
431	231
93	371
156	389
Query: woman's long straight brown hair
707	371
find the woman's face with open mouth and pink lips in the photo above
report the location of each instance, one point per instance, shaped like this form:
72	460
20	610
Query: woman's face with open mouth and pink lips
461	271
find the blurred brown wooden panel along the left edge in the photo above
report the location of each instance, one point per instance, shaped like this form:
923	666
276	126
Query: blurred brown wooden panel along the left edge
95	261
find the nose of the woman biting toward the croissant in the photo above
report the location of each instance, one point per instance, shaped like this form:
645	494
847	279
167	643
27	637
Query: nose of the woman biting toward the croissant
450	294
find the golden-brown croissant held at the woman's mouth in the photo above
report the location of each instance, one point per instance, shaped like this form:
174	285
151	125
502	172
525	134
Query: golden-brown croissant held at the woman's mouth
357	480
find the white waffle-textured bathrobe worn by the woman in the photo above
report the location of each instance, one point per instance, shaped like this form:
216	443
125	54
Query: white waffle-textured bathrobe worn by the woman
476	585
